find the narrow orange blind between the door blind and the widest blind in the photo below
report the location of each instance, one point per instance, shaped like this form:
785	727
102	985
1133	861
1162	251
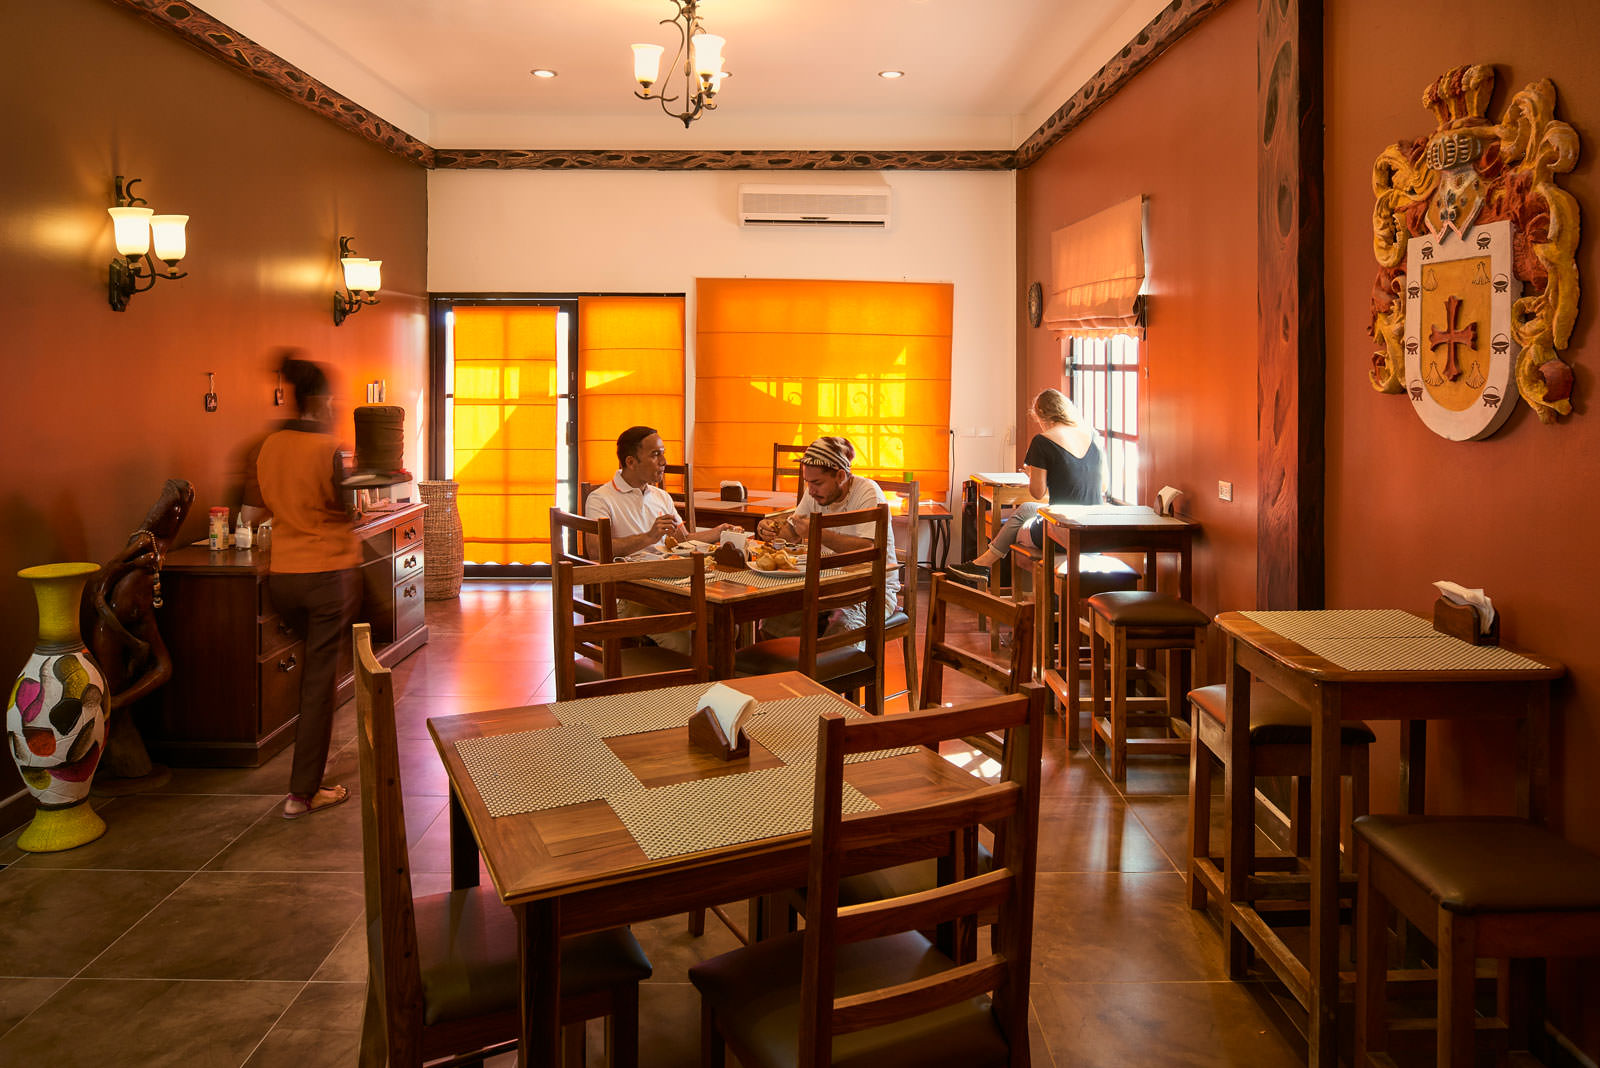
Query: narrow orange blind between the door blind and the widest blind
630	373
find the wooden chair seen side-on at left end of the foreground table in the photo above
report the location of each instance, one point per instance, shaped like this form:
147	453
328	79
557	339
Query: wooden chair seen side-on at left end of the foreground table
442	970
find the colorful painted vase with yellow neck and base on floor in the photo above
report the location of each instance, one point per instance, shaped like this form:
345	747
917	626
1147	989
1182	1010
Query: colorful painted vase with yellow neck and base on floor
57	717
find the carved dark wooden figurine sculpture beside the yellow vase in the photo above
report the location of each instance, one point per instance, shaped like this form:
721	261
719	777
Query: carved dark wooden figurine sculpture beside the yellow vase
119	626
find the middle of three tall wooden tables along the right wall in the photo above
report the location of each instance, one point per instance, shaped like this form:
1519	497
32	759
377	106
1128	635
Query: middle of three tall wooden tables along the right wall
1078	530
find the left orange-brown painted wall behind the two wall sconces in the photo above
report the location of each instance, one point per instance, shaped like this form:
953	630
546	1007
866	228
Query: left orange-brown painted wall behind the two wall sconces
103	407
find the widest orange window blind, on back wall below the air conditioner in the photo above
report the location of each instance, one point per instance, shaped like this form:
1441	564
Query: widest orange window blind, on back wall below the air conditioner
786	362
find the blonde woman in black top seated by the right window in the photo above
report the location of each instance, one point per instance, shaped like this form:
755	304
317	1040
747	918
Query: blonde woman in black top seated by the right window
1063	466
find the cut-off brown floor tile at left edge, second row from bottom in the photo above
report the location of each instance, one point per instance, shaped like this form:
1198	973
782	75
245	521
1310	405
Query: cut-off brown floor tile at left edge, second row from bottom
63	920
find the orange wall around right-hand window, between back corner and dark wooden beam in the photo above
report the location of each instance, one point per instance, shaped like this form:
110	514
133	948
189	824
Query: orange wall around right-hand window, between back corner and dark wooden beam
1182	133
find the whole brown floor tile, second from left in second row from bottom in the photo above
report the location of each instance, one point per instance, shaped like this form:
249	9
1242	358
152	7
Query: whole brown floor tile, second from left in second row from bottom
239	925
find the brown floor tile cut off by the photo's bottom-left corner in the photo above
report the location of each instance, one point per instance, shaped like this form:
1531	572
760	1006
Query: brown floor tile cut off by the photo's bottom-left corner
92	1024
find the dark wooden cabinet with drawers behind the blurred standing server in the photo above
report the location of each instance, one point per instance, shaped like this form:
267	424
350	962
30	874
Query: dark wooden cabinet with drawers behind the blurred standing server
234	695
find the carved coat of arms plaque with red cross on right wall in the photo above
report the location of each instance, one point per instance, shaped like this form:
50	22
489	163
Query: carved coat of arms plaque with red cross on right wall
1478	284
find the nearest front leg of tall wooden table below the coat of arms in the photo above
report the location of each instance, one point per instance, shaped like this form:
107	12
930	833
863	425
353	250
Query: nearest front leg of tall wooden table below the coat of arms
1322	1038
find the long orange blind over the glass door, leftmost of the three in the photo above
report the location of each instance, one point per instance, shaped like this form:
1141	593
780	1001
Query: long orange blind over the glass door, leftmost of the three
505	432
